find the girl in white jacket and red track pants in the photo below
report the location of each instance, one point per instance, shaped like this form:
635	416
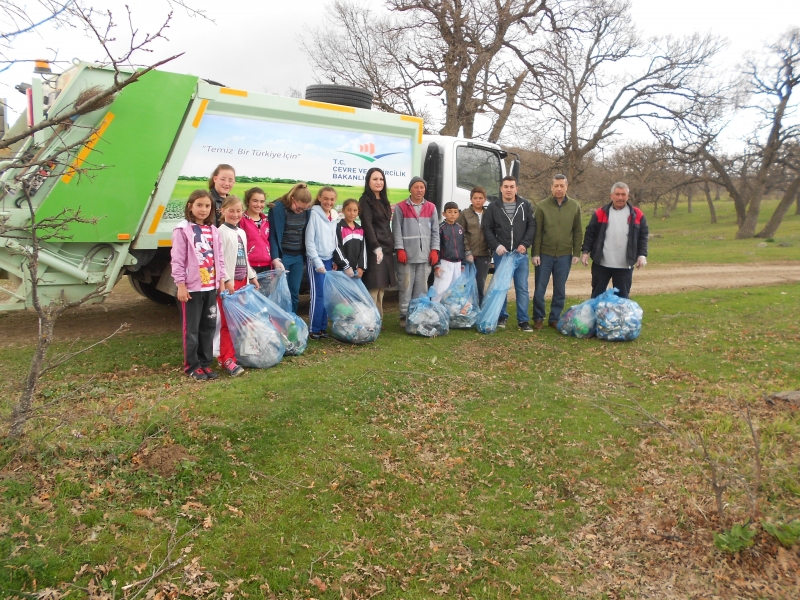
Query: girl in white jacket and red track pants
234	252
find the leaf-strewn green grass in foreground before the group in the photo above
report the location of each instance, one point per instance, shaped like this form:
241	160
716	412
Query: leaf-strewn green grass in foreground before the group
421	467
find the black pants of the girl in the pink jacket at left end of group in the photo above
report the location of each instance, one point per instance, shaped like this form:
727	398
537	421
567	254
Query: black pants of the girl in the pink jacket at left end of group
198	323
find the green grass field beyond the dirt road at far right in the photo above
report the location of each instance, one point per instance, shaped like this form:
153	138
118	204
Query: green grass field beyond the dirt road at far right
691	238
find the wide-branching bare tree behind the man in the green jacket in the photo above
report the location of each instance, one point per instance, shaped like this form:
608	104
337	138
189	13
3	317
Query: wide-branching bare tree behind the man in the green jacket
594	74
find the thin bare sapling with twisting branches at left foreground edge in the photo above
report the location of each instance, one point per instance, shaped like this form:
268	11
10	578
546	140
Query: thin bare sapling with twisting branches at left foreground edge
27	237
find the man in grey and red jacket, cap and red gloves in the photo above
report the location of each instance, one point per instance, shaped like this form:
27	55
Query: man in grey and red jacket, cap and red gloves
415	228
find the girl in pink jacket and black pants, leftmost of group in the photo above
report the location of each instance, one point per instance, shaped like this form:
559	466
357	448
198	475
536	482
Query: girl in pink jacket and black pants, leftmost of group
198	268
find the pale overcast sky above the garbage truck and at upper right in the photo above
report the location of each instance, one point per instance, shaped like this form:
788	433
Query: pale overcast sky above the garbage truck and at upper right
255	45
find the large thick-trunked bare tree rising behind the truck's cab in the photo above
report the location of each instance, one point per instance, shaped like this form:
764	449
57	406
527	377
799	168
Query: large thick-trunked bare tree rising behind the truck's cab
458	51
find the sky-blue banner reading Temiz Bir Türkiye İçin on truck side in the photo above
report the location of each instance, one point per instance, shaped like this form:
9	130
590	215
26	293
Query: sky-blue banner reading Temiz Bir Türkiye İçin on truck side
268	149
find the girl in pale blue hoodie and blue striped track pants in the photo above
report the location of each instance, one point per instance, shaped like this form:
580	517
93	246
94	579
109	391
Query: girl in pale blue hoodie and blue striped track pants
320	248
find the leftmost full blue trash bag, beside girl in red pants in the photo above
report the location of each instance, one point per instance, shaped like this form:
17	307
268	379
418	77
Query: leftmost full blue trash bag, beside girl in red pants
257	343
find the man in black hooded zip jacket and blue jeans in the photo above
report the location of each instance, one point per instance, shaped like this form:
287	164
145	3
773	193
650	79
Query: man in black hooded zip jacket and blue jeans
509	226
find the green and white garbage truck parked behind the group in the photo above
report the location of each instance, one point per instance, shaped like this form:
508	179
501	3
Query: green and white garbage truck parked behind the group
162	136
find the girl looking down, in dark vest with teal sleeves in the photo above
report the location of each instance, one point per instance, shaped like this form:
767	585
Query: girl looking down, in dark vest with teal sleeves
288	218
